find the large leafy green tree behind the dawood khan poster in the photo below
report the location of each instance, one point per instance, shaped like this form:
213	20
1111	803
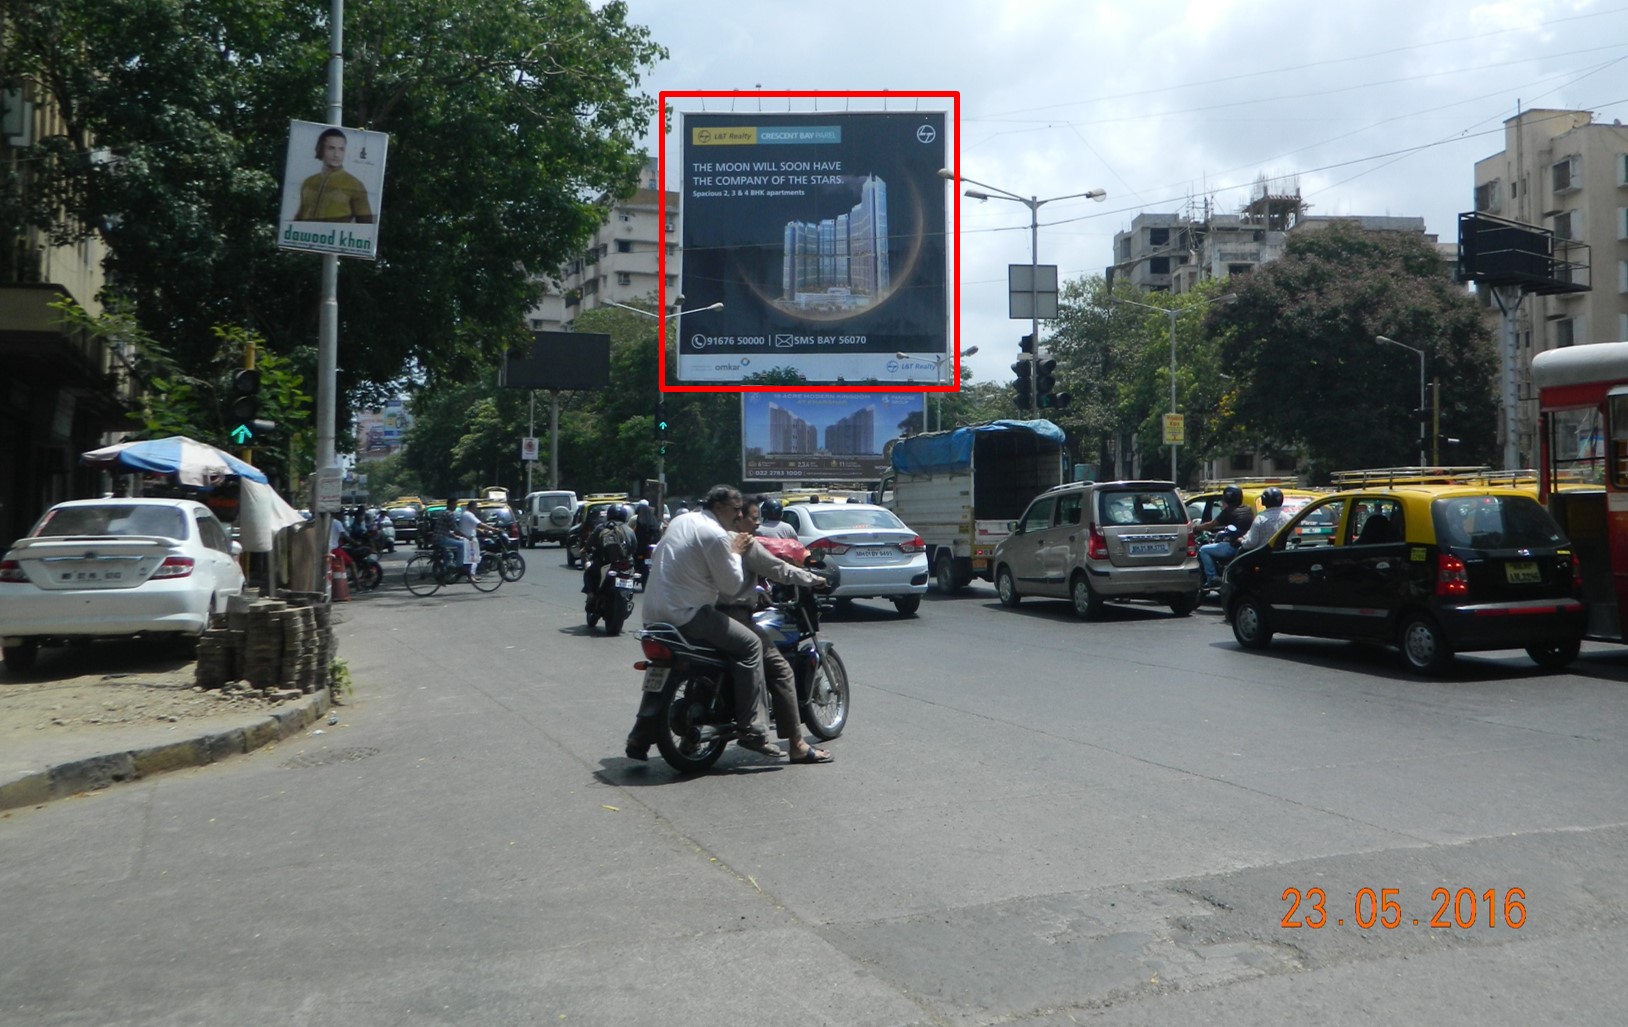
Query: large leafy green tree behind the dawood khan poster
507	120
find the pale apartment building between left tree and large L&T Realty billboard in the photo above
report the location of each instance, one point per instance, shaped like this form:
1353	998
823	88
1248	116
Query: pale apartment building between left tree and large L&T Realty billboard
621	263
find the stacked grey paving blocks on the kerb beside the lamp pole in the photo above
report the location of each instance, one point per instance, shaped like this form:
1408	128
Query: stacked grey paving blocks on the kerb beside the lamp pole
276	645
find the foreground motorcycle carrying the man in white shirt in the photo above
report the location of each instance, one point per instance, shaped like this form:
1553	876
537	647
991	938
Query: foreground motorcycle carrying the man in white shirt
688	699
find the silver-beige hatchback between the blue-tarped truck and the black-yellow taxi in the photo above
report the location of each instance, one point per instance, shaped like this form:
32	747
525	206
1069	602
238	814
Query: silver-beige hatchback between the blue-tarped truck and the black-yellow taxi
1098	541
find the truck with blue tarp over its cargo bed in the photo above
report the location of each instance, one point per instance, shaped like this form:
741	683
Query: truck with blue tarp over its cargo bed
965	487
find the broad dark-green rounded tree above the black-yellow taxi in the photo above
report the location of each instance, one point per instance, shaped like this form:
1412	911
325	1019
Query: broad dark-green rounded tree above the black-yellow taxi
1302	346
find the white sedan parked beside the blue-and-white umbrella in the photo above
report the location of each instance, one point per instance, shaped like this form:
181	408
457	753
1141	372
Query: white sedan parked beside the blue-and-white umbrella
95	569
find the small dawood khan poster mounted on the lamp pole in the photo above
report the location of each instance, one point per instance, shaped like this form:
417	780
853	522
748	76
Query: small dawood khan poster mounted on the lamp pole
333	190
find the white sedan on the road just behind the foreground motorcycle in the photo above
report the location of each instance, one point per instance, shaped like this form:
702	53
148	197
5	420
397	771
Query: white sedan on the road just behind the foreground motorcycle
880	557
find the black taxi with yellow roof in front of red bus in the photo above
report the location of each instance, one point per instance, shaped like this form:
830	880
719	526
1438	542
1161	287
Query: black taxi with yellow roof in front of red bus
1432	569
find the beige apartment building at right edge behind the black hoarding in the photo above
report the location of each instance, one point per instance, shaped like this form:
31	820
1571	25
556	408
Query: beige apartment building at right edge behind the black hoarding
1567	173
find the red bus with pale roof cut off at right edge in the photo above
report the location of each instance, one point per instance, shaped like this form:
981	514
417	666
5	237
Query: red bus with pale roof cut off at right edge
1583	479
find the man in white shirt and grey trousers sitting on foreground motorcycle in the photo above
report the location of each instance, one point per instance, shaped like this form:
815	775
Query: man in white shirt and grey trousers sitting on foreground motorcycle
698	562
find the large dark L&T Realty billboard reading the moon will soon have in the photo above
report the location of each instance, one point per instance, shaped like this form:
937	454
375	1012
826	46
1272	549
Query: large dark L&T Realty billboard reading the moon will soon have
825	238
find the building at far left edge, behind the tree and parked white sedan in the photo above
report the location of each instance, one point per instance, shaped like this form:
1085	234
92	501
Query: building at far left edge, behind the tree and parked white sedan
63	393
